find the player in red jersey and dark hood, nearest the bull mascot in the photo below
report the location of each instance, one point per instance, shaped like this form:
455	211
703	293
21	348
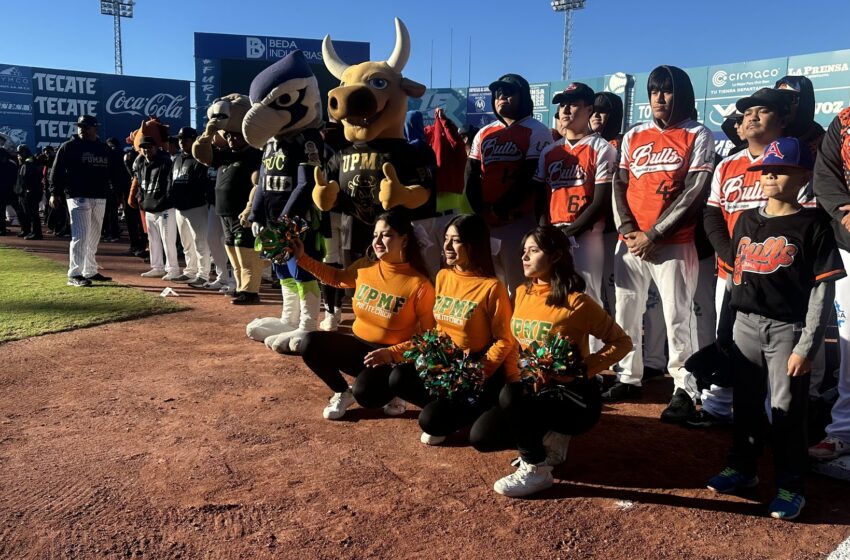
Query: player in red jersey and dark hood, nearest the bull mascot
500	169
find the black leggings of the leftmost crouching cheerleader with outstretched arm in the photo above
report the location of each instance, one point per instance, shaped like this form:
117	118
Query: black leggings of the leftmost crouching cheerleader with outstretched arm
329	353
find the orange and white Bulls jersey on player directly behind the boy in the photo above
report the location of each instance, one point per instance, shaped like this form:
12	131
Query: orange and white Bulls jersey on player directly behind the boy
734	189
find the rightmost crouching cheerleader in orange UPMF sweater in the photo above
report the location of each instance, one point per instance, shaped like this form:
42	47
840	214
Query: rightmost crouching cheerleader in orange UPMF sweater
553	301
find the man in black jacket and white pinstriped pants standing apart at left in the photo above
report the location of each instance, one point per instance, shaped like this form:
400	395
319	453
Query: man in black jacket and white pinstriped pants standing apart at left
80	175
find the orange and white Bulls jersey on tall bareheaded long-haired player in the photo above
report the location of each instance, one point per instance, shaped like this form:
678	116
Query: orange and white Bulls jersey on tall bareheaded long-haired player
658	160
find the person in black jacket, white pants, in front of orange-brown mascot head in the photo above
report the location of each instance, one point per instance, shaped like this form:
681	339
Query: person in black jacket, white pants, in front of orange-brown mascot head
153	173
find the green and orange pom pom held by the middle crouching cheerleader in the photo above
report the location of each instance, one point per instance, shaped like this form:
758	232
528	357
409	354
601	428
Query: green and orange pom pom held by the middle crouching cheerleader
446	371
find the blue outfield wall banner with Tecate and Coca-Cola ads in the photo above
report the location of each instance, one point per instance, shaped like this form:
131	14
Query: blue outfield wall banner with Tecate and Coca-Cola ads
40	106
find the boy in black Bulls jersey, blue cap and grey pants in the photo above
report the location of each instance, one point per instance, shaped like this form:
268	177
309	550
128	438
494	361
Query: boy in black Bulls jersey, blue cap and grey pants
786	261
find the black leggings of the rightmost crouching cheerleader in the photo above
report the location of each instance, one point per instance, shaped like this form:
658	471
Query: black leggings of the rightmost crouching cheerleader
522	420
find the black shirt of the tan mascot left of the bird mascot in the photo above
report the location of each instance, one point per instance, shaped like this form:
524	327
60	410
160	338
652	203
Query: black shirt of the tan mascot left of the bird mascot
233	179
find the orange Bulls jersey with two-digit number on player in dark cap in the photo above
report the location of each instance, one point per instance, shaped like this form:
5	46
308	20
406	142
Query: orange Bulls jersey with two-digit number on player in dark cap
572	171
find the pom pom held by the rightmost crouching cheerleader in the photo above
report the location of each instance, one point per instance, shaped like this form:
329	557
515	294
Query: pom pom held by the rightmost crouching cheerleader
540	365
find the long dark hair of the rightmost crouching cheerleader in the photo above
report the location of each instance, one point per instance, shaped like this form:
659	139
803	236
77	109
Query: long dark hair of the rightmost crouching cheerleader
565	279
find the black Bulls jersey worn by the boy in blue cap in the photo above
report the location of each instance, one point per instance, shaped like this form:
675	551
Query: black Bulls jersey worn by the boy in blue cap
778	259
